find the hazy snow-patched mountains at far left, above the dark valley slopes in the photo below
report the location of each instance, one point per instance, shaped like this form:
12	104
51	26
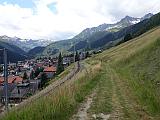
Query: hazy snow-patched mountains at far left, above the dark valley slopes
25	44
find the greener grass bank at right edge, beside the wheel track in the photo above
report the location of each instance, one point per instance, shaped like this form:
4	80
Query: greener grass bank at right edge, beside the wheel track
142	72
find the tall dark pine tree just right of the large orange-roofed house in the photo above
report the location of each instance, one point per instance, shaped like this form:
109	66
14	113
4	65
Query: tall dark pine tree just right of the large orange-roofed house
60	67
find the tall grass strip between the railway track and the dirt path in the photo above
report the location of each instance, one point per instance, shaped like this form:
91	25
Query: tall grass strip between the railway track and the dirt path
60	104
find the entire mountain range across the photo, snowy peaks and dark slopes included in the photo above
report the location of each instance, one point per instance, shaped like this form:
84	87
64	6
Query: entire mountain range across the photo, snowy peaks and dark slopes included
100	37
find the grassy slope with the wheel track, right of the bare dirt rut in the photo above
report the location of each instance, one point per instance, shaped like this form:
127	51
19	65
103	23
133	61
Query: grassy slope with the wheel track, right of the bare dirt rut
132	74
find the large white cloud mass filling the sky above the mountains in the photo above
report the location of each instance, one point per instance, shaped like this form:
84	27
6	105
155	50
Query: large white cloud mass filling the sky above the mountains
69	18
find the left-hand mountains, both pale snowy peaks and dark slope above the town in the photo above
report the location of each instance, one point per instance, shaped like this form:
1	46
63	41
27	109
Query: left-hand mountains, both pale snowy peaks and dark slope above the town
20	49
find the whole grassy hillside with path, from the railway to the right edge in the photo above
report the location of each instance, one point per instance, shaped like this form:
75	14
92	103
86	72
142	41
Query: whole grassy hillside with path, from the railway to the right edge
123	81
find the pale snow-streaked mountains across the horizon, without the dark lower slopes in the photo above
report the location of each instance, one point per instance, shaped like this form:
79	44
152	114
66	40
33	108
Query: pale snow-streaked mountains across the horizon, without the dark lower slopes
81	40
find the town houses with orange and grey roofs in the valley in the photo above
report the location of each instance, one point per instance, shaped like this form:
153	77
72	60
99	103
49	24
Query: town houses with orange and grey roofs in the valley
24	77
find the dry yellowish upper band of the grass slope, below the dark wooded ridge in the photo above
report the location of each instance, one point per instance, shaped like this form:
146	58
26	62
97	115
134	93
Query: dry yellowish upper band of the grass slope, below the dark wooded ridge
135	45
